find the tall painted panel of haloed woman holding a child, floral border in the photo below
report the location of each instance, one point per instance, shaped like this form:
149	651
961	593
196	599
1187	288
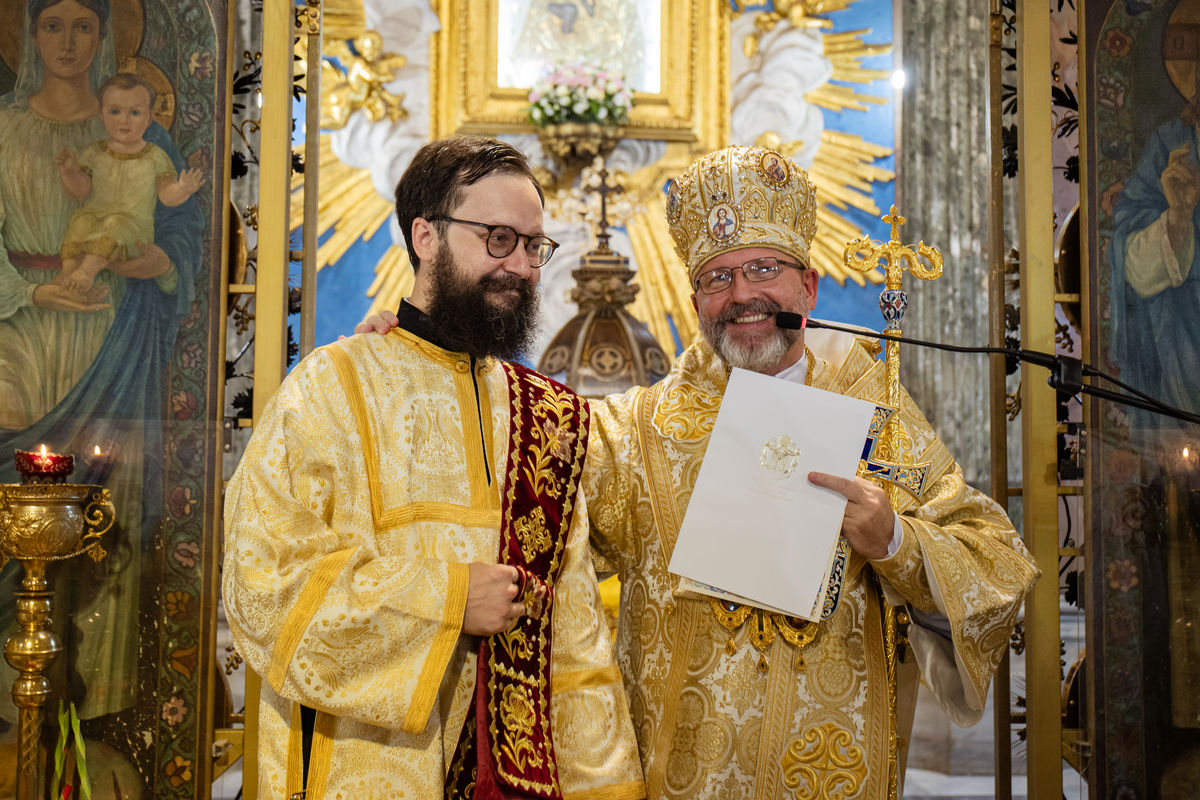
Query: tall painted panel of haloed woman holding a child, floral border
113	359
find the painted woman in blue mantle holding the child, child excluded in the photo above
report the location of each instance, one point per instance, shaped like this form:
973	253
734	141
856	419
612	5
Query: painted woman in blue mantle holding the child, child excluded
89	368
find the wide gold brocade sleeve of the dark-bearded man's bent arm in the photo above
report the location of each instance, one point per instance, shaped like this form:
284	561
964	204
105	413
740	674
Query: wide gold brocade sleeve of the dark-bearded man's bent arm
311	604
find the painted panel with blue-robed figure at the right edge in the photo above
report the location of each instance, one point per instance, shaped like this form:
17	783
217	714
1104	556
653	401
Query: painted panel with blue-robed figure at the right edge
1144	187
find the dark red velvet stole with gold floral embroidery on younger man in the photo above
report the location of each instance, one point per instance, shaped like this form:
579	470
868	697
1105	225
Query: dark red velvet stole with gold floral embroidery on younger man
506	750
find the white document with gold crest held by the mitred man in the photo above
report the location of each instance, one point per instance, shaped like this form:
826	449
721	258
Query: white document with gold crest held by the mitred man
755	527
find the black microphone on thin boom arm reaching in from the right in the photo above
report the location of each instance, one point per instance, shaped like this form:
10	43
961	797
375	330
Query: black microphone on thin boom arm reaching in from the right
1066	372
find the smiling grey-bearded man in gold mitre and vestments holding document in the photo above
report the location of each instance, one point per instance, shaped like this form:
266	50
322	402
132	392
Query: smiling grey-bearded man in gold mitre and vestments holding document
737	702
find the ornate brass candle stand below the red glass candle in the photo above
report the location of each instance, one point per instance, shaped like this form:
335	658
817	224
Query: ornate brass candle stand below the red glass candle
41	524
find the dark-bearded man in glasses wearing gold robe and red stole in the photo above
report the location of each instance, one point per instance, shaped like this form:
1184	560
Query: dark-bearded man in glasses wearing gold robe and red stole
407	558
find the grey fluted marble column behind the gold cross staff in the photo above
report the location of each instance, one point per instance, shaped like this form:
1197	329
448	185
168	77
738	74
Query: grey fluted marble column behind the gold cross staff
944	193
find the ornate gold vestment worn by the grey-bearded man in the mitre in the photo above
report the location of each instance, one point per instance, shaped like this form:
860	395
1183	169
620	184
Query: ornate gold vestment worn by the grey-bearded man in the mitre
748	714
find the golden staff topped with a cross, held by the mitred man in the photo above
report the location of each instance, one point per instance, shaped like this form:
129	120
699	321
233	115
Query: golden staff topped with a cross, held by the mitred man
865	255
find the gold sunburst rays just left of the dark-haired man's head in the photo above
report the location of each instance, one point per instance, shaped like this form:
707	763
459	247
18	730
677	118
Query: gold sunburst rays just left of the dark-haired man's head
351	207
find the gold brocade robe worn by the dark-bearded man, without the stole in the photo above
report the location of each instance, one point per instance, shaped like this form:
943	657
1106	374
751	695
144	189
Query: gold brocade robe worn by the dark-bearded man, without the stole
359	503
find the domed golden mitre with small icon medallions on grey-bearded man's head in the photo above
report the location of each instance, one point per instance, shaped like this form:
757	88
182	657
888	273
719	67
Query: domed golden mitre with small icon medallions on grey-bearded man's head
741	197
